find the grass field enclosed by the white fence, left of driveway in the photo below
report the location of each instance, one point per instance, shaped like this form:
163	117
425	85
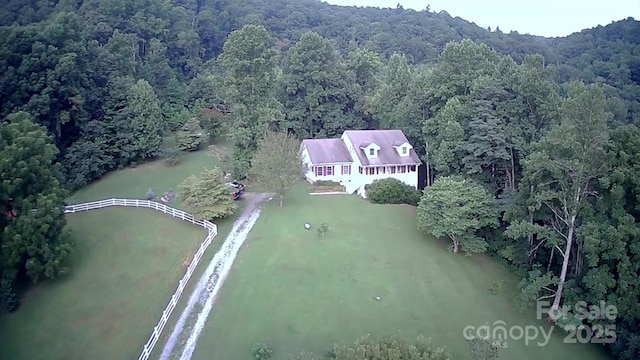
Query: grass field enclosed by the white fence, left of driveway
126	264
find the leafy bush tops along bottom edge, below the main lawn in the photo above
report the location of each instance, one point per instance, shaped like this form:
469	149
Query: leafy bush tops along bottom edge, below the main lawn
390	348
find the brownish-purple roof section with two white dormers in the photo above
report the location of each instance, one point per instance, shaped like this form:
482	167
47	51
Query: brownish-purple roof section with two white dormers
386	139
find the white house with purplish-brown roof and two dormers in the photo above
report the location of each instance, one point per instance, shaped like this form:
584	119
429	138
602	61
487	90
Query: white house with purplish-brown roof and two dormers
359	157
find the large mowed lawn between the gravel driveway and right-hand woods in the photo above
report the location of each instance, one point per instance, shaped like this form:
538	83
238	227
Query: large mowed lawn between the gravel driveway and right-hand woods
293	291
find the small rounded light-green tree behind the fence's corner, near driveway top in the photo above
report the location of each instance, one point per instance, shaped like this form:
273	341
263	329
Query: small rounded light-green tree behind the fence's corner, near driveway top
207	196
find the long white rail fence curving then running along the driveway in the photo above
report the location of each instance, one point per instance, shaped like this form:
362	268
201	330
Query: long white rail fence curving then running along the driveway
212	231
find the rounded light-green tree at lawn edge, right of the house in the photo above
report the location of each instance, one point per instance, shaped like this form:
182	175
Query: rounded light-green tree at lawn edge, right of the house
457	208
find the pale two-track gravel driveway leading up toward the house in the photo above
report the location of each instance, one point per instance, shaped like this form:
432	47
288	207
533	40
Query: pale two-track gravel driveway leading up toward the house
184	336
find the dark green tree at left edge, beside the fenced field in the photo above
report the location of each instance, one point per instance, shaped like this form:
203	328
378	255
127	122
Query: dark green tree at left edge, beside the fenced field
31	192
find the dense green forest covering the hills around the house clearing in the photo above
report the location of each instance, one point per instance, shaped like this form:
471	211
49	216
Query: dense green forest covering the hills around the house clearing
547	126
